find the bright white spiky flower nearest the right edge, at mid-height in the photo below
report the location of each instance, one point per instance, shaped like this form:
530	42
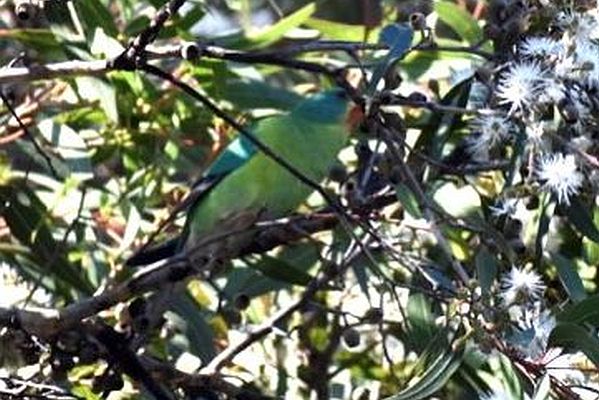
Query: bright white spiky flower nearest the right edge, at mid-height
559	174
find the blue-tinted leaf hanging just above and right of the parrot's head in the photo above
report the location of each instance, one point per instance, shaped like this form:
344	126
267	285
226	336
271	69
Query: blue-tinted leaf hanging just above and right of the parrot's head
398	39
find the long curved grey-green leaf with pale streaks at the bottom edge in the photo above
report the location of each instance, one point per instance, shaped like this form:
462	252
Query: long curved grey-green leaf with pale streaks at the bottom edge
437	372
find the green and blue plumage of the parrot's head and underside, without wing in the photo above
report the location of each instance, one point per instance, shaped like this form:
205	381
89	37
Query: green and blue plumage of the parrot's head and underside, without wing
310	137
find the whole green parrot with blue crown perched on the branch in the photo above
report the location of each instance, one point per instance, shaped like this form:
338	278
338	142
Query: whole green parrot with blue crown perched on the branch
244	185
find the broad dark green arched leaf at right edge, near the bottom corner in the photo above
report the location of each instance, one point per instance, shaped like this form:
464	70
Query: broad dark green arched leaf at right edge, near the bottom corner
567	334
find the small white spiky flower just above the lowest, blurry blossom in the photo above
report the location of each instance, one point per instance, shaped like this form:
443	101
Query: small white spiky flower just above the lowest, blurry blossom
520	286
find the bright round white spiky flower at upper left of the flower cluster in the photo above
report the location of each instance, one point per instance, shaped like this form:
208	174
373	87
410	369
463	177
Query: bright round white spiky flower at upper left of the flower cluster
520	85
